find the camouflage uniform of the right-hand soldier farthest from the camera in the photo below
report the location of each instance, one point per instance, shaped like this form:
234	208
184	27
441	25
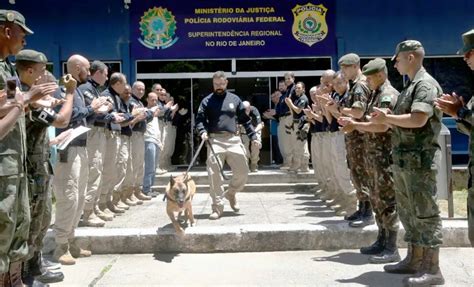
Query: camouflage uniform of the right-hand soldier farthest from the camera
357	98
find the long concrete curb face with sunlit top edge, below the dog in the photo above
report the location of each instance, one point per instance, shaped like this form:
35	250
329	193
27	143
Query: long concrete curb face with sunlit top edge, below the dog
243	238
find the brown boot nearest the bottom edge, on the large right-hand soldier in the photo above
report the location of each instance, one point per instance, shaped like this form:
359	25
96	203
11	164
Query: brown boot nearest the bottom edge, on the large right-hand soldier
429	273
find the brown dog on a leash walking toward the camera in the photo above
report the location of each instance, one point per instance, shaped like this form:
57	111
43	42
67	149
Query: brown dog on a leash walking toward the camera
179	194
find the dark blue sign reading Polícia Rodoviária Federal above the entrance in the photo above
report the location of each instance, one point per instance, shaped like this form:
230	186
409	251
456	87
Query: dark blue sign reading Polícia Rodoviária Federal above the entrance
231	29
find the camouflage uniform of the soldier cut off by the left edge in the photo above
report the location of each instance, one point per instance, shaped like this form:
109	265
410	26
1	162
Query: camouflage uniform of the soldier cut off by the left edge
14	209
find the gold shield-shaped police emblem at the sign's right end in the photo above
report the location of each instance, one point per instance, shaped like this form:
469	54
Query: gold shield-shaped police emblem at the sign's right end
309	24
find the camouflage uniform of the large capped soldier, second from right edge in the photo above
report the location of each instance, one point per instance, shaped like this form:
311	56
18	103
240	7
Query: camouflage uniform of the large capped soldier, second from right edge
413	153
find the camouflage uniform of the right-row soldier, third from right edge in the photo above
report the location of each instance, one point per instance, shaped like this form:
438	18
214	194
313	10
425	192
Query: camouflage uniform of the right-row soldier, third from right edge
378	161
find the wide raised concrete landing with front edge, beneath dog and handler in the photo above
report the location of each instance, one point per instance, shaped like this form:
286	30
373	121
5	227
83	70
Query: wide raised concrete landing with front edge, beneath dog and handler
268	221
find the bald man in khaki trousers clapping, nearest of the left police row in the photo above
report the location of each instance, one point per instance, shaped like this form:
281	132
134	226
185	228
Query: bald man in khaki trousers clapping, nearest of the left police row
71	171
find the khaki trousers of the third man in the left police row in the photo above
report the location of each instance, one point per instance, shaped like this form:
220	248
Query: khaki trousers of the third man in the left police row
109	172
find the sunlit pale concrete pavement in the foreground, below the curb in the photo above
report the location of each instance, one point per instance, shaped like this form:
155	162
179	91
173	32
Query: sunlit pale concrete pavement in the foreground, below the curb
290	268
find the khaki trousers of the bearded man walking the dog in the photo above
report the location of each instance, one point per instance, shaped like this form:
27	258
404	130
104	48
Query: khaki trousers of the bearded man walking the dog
228	148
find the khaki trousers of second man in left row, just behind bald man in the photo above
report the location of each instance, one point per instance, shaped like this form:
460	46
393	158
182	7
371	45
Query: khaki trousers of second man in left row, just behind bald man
96	148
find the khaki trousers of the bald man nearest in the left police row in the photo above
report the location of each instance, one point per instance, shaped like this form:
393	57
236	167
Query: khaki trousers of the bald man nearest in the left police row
69	186
